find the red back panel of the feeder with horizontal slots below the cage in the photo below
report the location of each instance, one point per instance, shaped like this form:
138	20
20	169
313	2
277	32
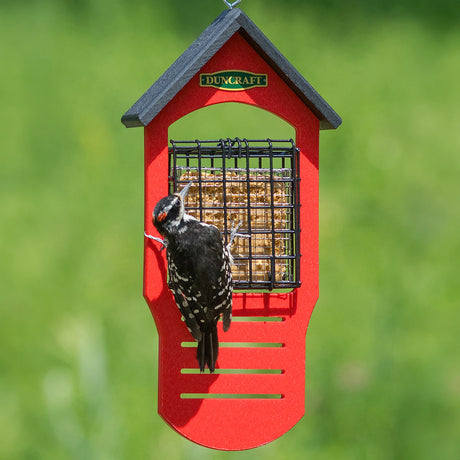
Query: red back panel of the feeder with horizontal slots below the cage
229	421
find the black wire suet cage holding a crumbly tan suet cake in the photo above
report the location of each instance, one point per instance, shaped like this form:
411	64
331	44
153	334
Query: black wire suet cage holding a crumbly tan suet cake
251	183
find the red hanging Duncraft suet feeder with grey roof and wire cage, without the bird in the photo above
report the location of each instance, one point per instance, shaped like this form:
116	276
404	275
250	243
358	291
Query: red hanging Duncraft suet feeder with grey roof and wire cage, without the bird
267	186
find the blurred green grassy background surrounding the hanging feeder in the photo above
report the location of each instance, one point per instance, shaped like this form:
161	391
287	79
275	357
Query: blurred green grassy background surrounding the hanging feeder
78	346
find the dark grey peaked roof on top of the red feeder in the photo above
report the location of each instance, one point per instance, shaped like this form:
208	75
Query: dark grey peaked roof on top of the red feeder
203	49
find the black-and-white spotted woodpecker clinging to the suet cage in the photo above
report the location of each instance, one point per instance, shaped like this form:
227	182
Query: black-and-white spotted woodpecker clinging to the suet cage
200	277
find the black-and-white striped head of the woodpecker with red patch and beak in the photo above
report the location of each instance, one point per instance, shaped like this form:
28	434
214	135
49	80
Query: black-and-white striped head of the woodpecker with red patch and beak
169	211
